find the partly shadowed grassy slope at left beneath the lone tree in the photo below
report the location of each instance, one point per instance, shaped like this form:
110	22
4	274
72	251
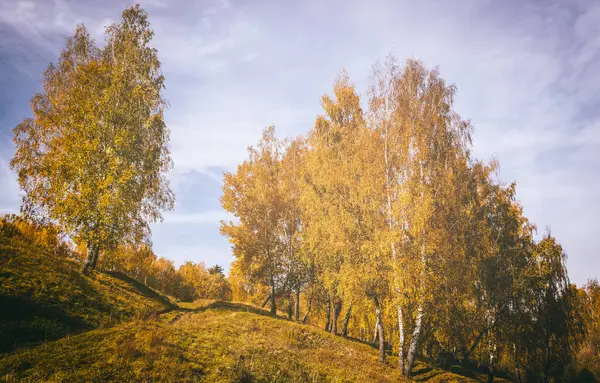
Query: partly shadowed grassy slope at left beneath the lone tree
44	296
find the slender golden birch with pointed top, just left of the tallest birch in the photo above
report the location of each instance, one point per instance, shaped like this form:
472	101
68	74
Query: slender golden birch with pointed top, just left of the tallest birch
326	196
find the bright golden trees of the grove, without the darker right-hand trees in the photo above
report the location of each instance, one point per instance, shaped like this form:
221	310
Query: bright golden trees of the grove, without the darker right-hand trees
362	202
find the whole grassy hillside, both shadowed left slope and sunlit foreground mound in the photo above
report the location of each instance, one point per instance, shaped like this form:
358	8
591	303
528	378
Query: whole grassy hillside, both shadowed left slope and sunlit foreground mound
59	326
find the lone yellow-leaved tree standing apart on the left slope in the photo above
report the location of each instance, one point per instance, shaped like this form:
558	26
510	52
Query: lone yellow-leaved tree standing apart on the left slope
93	157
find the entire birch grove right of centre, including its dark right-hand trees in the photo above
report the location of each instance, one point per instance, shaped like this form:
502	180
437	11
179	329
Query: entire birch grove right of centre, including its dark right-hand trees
383	210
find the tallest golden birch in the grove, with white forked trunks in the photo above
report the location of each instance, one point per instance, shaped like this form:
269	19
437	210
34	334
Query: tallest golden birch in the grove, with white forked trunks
423	141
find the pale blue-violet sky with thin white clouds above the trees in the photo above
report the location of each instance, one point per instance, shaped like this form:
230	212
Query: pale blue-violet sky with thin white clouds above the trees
527	73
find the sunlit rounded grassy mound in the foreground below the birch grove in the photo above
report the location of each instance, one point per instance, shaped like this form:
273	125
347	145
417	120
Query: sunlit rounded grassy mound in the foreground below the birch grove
217	342
